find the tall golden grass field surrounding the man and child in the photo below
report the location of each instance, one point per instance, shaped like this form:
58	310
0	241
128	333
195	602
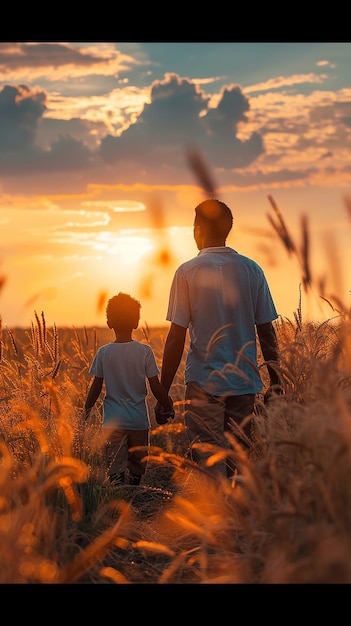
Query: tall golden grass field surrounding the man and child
285	518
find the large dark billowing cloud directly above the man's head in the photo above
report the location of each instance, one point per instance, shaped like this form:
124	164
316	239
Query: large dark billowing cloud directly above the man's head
178	111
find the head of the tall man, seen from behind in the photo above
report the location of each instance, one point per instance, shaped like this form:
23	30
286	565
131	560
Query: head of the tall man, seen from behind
212	224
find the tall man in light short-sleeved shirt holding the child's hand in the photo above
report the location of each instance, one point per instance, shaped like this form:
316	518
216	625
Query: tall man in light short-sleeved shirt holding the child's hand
222	297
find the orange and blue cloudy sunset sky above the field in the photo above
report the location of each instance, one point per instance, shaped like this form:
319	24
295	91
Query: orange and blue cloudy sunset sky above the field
96	192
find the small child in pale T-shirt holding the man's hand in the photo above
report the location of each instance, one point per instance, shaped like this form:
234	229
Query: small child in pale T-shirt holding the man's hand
123	366
